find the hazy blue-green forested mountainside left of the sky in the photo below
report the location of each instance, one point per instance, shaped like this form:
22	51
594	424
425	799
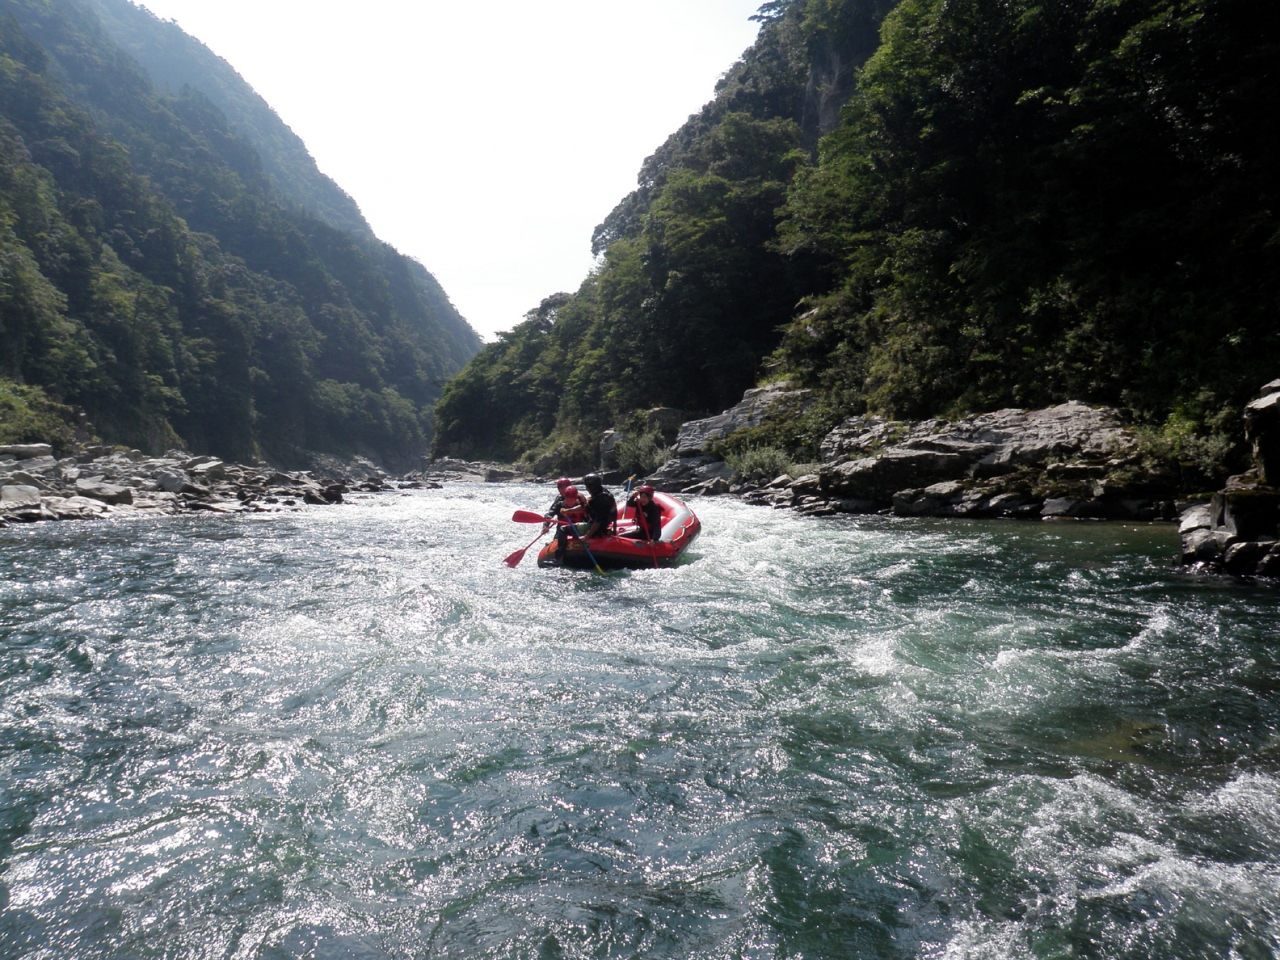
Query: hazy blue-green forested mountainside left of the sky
159	275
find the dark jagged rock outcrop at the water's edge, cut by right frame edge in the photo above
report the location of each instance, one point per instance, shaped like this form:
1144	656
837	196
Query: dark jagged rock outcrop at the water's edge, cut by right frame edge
1238	531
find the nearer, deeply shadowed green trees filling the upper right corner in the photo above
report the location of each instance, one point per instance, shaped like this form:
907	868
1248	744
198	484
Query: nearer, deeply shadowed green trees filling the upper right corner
1030	203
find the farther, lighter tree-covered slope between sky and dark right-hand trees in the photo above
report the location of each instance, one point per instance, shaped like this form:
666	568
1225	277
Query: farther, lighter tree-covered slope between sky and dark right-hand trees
691	290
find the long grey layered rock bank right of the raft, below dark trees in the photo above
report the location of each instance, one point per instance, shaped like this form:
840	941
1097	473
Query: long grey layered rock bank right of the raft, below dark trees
1071	461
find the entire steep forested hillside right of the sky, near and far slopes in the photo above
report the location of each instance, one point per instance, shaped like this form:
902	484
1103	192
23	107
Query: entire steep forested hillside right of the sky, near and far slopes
1021	203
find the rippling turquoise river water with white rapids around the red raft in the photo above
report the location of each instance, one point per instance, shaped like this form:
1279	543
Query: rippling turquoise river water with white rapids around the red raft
353	733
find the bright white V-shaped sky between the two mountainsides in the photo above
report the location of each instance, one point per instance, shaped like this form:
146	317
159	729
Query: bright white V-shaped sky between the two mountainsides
487	140
